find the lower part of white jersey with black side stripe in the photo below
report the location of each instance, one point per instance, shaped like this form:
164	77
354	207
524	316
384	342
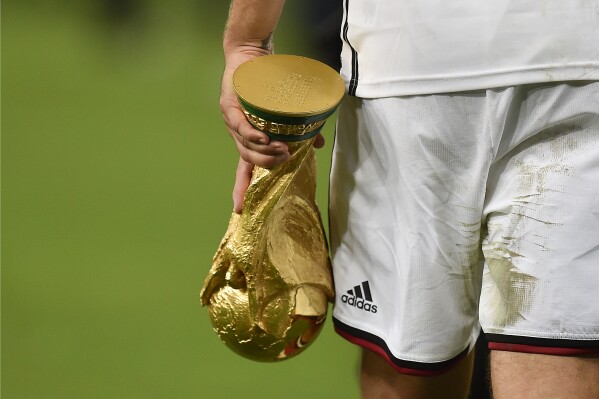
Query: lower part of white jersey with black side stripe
408	47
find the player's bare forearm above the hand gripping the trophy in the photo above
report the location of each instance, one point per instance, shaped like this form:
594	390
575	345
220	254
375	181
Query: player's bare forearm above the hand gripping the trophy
251	24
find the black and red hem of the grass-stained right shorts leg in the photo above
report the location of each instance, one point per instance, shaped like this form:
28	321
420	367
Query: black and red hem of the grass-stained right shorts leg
543	346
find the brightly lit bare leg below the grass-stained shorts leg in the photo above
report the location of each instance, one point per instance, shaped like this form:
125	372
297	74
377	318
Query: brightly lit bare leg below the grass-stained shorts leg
523	375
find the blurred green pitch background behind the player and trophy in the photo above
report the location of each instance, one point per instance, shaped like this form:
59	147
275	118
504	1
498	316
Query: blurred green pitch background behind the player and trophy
116	181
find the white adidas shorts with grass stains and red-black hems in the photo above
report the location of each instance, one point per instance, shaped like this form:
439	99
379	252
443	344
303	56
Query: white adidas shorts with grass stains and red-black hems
441	202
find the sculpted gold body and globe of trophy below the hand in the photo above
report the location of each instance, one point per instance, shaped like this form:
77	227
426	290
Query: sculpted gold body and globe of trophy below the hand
270	283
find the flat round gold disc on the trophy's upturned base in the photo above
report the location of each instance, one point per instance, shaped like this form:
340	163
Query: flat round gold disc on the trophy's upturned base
288	85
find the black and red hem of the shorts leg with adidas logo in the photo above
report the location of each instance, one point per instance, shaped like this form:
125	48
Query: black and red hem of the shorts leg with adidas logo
376	344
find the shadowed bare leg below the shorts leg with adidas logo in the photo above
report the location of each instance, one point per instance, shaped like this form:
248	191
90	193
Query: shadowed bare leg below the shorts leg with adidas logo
380	381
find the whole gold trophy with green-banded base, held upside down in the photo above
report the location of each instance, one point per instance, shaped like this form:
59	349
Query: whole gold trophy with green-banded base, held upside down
270	283
